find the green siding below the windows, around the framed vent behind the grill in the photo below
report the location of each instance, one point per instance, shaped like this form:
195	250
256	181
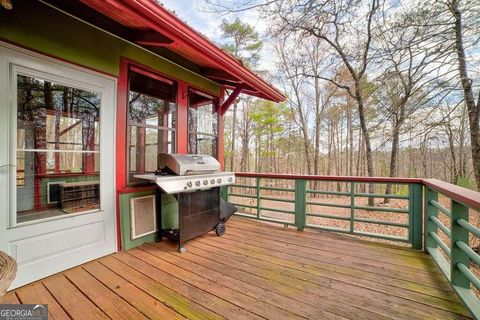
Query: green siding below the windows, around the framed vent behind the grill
169	211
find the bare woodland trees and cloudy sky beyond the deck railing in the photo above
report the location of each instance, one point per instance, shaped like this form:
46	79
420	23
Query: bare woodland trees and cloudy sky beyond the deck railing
374	88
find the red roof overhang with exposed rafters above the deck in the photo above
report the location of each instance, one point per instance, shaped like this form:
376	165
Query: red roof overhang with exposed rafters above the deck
155	28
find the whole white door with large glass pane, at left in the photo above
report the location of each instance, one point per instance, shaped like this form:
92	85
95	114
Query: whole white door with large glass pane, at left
57	138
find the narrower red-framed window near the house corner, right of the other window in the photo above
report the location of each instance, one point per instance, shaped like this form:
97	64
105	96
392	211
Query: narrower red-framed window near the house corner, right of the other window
202	124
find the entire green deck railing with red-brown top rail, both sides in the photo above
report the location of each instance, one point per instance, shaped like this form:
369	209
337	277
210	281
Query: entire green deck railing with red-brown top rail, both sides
295	198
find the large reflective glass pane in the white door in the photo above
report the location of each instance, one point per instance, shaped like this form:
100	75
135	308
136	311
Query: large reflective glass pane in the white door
57	149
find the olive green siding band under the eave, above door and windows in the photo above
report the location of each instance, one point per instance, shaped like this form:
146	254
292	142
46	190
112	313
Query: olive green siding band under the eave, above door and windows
38	27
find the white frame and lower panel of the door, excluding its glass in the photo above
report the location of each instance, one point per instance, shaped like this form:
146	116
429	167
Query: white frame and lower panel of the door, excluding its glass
48	246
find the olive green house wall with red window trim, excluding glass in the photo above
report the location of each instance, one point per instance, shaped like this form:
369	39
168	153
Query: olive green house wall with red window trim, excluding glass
37	27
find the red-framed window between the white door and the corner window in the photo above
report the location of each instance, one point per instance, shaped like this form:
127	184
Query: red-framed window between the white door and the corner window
152	119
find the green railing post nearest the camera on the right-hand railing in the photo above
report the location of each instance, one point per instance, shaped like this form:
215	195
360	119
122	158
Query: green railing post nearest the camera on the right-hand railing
459	211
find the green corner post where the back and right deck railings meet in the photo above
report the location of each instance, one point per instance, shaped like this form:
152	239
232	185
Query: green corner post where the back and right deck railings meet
415	205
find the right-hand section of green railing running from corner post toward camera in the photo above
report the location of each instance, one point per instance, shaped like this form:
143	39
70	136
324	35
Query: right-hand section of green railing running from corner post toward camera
451	224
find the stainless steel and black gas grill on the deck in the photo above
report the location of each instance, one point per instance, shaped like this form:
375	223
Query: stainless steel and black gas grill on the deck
195	181
